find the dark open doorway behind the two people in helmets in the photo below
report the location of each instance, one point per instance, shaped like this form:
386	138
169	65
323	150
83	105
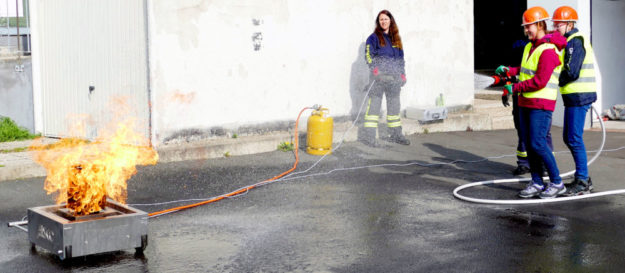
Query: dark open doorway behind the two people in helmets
498	35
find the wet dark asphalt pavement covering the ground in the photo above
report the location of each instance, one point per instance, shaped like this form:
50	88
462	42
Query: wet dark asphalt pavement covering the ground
388	218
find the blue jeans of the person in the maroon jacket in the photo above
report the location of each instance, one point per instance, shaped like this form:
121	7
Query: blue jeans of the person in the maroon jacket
535	124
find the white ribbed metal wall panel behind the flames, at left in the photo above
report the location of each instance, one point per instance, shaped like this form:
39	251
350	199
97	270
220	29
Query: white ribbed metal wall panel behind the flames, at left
85	43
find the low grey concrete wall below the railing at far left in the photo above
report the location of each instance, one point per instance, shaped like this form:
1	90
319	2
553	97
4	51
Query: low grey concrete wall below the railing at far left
16	91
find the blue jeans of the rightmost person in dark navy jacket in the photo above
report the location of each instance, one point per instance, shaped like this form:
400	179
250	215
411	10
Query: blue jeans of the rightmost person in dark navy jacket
574	118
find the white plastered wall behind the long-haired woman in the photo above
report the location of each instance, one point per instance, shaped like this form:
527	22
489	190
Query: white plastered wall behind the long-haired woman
205	71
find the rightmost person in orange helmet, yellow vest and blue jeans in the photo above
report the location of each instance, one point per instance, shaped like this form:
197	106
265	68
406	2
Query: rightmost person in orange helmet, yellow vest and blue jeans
578	89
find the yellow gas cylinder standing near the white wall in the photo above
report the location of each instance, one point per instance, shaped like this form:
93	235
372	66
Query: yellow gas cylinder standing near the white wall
319	132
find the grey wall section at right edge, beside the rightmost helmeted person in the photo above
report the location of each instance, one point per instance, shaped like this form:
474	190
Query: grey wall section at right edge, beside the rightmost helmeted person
608	20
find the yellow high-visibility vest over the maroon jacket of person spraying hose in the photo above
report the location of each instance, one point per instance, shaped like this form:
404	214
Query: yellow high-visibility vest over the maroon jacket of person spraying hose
529	64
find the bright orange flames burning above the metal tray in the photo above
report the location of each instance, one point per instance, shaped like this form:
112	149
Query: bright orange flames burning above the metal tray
85	173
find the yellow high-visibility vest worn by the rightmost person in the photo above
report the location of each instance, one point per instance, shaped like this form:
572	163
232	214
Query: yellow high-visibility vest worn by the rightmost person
586	82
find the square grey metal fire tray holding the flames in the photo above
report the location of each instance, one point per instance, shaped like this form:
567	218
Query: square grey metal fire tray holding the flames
117	227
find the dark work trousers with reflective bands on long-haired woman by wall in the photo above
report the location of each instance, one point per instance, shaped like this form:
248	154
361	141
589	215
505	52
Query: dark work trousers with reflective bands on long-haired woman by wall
391	89
